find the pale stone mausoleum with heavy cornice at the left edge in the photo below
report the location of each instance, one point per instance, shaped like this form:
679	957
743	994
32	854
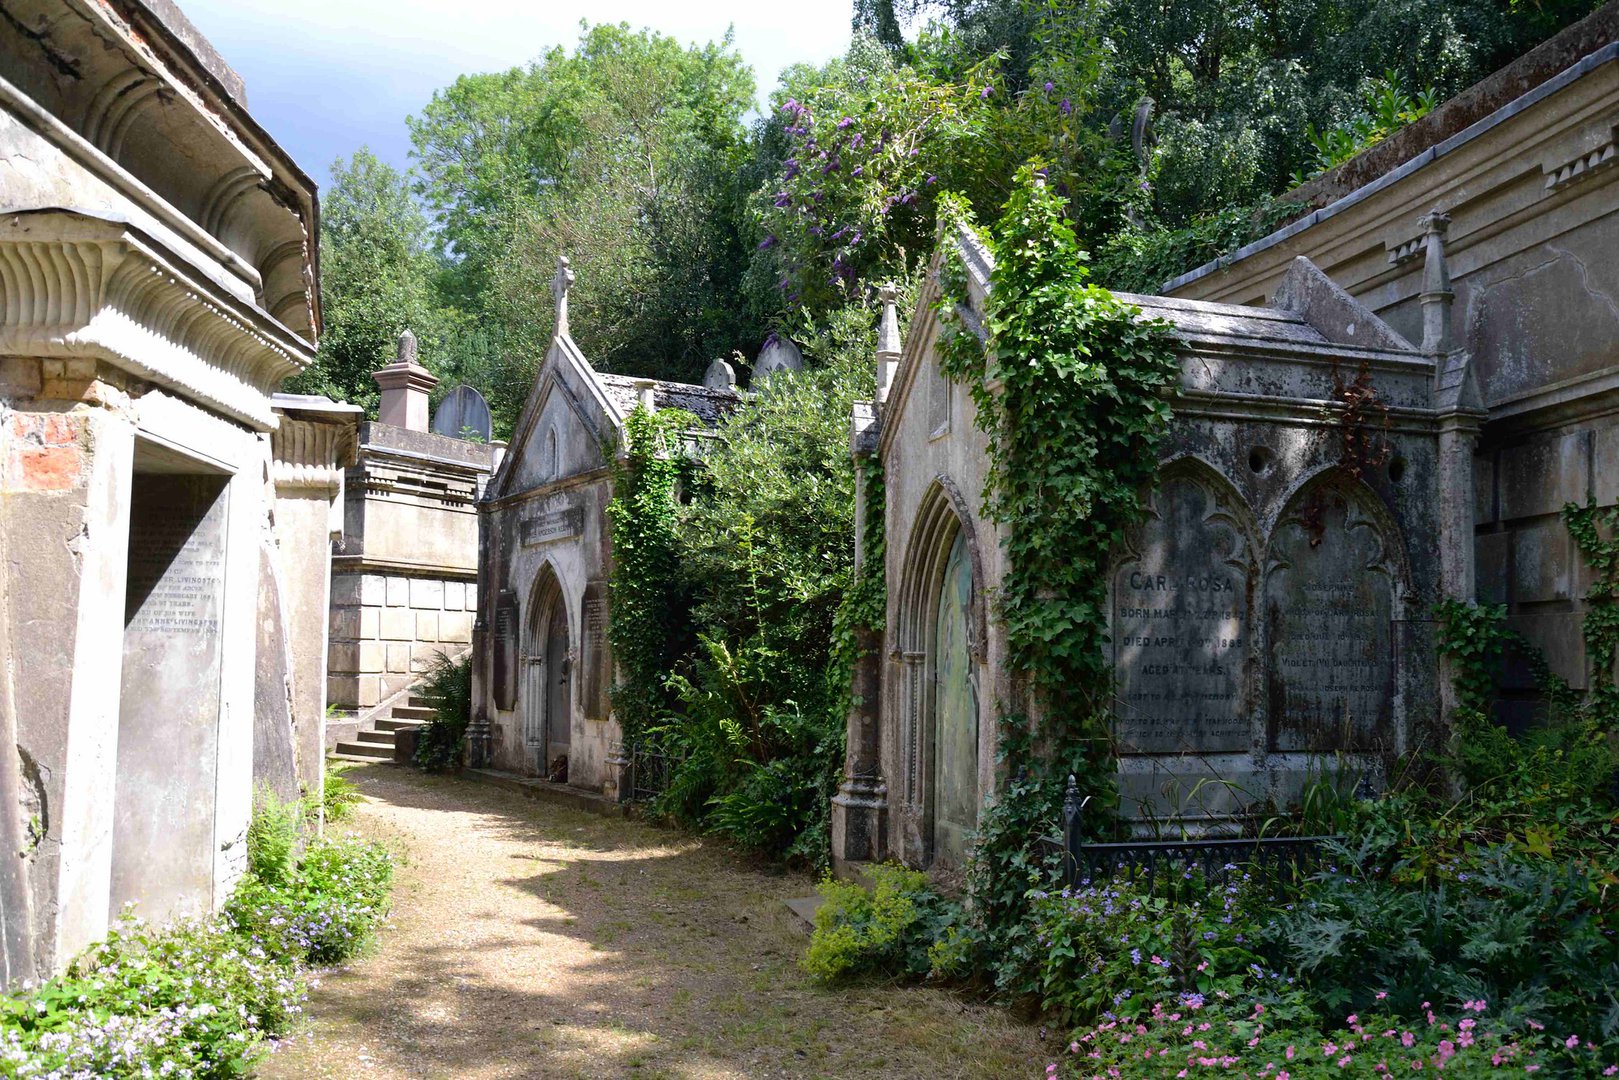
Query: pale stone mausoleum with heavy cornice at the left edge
164	516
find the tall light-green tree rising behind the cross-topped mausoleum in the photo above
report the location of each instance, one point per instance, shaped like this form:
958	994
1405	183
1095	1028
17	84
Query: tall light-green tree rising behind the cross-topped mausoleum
629	156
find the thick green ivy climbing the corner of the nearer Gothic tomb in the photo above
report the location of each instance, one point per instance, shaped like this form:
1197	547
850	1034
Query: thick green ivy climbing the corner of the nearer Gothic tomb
1074	394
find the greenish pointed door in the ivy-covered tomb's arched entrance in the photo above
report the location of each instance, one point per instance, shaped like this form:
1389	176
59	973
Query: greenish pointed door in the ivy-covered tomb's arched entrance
954	710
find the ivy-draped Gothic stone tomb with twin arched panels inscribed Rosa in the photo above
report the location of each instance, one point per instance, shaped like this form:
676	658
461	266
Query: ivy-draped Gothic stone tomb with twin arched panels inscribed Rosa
1270	614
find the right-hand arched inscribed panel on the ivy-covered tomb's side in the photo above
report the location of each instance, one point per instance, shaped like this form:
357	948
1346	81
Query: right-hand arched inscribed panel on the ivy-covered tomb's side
1328	608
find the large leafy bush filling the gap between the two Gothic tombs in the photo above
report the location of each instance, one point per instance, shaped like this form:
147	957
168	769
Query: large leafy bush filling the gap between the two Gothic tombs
763	700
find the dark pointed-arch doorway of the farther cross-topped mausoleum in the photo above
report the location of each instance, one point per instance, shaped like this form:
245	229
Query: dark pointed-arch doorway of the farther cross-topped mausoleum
548	691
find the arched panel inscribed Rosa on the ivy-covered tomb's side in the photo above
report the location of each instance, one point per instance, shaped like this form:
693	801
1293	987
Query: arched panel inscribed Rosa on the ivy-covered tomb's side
1181	626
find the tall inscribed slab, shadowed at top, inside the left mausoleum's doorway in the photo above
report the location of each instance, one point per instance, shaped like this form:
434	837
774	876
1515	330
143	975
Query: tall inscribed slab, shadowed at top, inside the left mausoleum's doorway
171	697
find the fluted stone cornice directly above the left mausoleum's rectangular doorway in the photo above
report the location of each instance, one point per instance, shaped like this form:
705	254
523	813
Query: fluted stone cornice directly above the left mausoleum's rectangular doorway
79	286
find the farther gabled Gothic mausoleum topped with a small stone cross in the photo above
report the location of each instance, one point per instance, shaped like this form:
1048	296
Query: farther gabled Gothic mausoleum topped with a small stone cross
543	666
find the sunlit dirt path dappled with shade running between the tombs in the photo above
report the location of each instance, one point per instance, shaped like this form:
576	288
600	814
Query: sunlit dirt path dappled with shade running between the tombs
535	942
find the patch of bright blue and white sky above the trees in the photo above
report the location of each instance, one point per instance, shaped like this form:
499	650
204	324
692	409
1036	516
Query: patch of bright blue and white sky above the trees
326	77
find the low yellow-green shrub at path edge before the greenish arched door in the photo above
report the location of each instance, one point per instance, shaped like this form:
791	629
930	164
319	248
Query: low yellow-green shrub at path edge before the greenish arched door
886	930
